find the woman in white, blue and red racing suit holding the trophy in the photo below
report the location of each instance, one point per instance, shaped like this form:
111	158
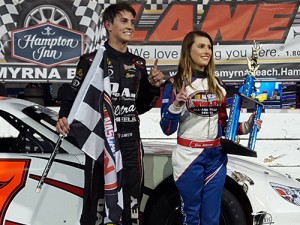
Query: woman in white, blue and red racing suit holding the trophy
194	105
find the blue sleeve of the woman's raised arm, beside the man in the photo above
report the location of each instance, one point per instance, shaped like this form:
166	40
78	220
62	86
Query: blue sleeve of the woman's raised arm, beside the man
169	121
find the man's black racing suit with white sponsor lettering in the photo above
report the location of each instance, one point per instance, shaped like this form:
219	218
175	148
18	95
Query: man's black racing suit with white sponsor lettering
132	94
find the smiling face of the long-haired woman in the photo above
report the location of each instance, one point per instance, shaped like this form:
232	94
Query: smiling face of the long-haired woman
201	52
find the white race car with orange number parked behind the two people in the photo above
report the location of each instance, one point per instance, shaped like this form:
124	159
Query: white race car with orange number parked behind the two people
253	194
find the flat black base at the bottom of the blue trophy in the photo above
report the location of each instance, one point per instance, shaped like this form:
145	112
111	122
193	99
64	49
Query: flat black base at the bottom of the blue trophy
231	147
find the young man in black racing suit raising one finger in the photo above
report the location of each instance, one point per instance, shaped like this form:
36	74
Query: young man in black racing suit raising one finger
133	93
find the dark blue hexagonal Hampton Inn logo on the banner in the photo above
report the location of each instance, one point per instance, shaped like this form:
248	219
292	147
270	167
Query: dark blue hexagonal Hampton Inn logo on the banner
47	44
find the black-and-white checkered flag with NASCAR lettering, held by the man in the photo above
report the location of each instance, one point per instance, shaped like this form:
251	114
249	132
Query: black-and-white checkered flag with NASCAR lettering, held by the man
94	127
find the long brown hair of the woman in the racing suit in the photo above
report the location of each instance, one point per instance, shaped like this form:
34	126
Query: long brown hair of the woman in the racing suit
186	65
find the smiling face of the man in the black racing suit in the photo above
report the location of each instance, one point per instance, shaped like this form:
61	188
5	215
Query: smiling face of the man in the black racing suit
122	29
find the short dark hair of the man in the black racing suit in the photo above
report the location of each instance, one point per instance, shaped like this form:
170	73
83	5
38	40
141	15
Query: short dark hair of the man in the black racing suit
113	10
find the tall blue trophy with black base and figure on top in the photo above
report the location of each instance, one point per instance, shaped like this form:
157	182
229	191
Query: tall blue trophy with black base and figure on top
244	100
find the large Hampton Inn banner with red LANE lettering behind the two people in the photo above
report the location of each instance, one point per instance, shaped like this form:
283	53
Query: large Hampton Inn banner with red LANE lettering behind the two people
27	27
